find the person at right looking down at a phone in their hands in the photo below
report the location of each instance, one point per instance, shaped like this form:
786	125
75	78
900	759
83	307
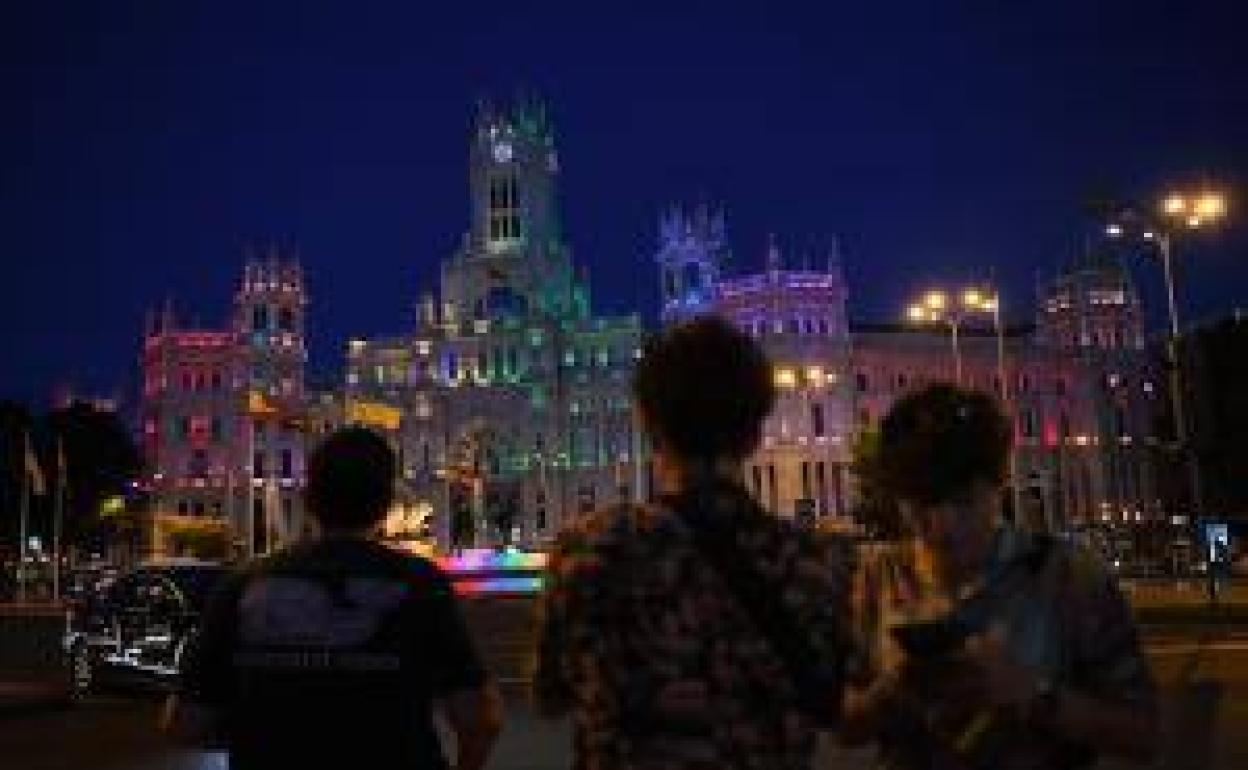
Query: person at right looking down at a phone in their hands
989	647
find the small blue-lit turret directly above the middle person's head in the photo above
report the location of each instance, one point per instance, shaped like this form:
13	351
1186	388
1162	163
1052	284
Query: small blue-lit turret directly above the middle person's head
692	256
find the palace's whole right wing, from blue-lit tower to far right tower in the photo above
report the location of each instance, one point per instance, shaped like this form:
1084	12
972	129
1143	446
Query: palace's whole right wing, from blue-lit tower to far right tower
1079	387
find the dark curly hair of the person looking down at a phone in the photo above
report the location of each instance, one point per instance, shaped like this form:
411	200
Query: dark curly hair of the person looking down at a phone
938	442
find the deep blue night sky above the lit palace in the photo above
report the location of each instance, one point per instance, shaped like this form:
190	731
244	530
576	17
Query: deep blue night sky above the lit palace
144	144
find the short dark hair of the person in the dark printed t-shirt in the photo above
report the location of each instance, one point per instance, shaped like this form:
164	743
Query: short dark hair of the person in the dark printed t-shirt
351	480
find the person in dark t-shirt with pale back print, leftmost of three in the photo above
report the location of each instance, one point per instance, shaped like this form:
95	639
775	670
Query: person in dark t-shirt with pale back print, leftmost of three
338	653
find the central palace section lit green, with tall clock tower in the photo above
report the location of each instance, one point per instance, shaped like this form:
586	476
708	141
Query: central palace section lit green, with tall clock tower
512	399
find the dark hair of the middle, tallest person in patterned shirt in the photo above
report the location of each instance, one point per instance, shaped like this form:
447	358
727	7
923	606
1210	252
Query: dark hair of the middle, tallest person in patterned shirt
704	390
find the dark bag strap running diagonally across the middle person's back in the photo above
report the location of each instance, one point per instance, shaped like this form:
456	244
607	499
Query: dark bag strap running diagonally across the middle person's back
752	592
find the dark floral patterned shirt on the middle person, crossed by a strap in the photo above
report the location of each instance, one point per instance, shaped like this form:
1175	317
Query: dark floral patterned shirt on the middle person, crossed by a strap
660	665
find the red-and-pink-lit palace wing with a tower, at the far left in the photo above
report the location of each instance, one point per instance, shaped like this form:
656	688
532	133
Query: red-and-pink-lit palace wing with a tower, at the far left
222	415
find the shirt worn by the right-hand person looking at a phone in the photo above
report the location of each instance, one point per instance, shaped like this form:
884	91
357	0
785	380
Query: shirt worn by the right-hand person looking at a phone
1063	617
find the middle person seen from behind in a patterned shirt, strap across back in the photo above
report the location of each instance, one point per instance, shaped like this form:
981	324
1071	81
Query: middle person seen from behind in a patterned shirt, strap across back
702	631
